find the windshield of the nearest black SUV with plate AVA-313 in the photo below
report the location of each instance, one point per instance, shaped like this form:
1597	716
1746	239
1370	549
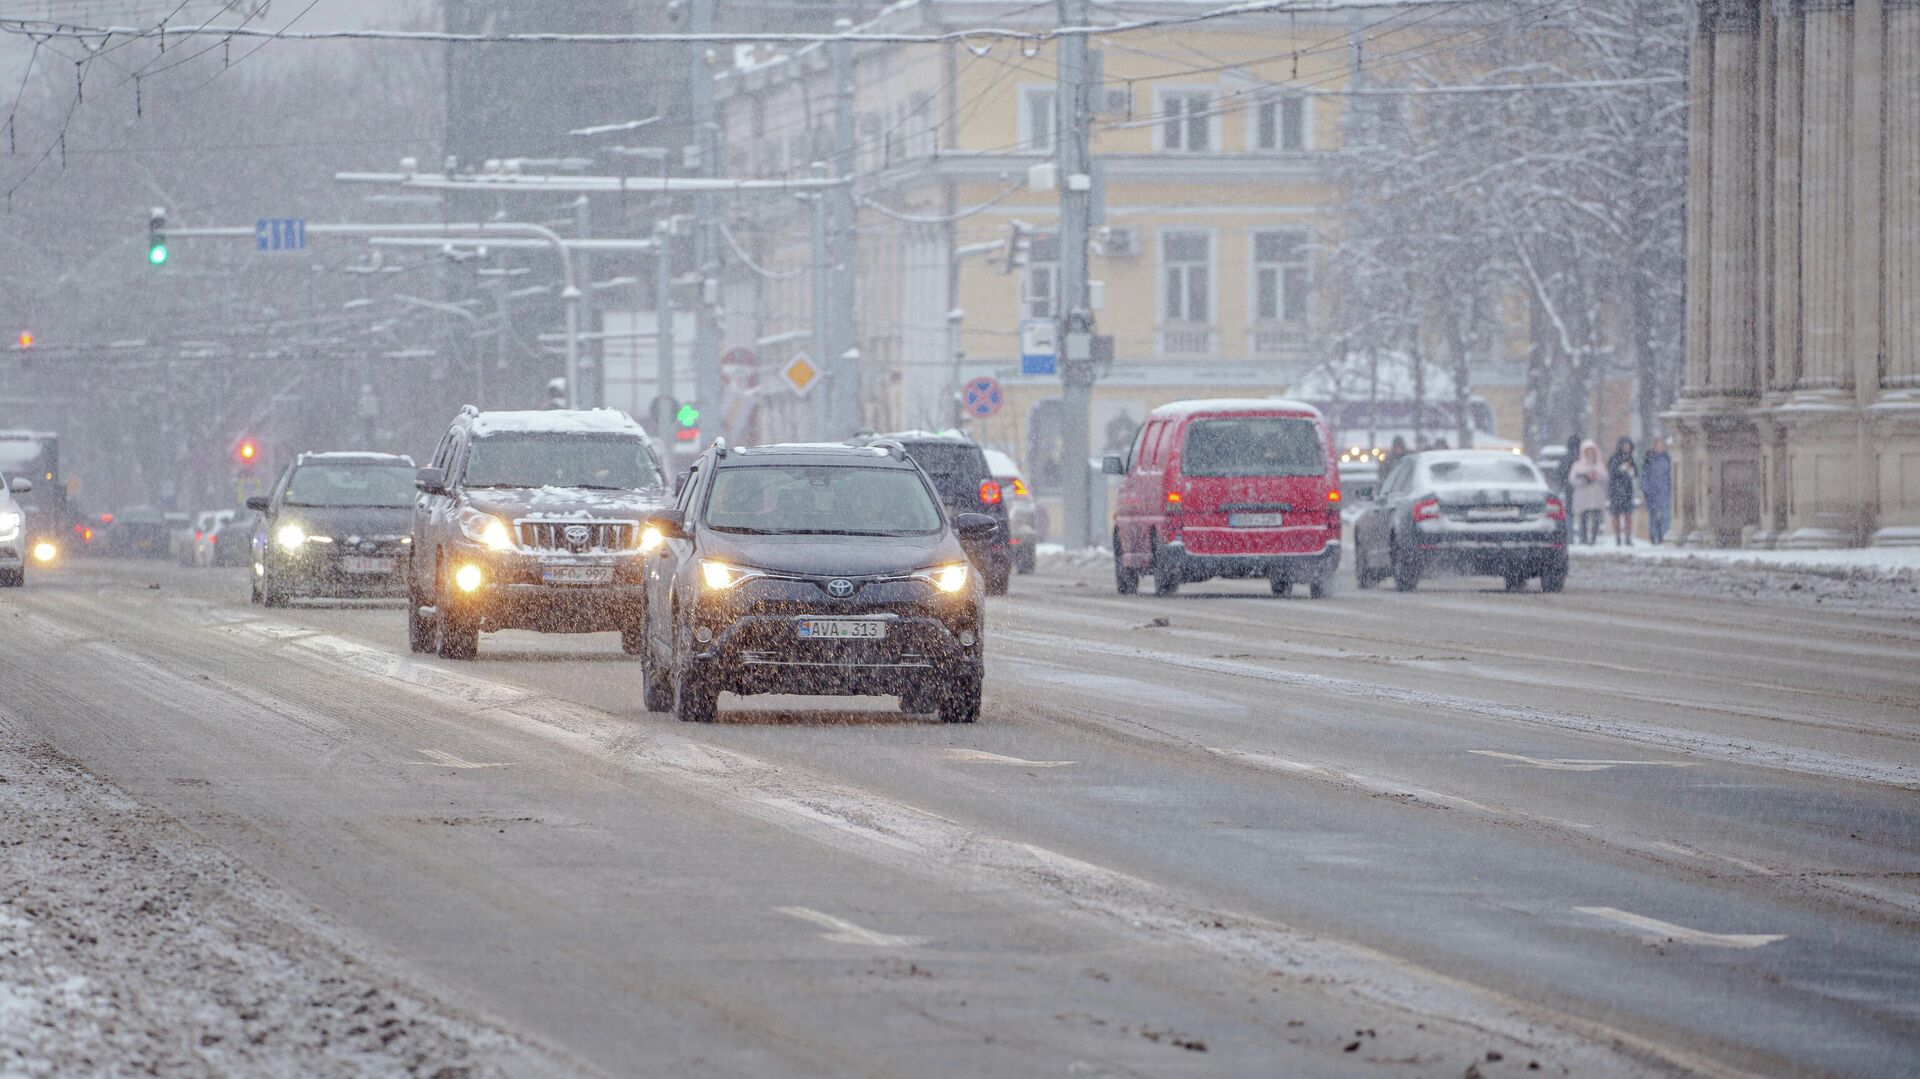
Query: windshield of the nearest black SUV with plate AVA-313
821	500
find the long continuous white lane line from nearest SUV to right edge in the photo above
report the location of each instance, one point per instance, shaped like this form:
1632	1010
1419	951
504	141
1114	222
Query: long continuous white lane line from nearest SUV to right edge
1717	748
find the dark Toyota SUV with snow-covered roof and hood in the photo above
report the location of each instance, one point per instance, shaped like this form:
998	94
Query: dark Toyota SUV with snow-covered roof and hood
531	521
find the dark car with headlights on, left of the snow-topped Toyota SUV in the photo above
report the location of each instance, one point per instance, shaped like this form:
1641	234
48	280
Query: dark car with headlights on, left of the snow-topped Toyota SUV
333	527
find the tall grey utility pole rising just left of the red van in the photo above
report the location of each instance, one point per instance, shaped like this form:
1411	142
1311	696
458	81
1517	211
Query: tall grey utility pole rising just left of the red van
1074	168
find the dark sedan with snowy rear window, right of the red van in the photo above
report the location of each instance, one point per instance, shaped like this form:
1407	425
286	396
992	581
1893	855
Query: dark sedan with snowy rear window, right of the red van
1462	512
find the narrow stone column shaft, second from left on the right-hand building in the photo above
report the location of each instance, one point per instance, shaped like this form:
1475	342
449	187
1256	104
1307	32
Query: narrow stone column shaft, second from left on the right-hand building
1787	283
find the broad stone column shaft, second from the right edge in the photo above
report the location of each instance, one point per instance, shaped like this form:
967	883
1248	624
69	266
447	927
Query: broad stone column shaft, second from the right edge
1825	239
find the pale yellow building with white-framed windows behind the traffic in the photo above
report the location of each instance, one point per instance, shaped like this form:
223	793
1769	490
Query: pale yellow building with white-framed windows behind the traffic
1212	141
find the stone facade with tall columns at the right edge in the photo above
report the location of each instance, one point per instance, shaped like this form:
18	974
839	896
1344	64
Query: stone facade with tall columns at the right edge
1800	423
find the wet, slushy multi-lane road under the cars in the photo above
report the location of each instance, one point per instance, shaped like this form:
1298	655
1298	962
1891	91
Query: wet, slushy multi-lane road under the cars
1387	834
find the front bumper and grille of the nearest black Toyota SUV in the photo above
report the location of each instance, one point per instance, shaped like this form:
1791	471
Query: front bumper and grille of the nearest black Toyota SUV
757	644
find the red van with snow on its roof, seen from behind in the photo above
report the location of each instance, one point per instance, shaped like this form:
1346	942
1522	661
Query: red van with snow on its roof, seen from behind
1228	491
